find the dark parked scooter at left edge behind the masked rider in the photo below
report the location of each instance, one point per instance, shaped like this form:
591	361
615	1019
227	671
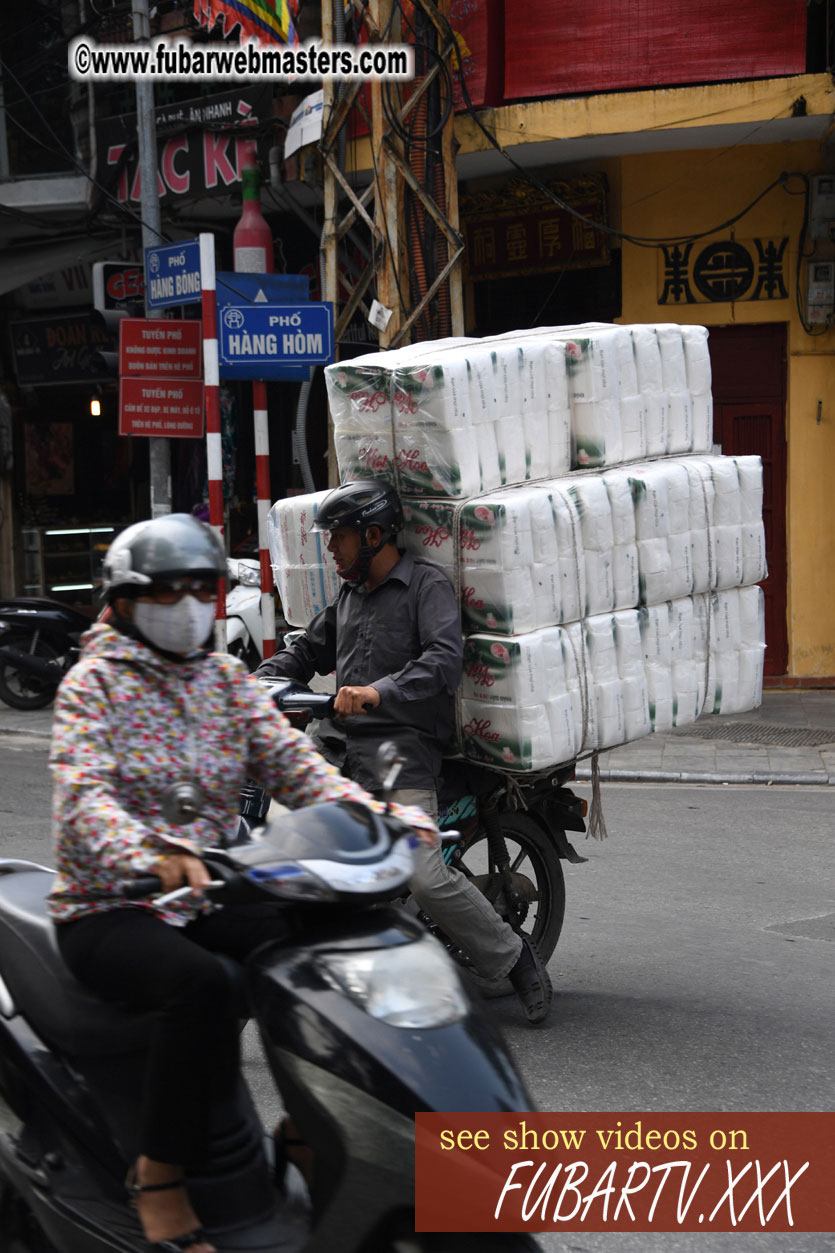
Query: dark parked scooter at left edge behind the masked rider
39	641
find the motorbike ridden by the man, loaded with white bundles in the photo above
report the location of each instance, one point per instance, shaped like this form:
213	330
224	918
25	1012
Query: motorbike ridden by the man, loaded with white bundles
506	833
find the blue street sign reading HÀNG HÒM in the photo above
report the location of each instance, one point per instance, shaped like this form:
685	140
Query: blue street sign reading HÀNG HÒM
260	339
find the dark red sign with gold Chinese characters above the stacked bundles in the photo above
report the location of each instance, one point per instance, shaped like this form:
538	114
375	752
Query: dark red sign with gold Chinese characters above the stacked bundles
520	230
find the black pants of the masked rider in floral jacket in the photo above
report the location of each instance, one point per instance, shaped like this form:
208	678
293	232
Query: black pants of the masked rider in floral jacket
130	955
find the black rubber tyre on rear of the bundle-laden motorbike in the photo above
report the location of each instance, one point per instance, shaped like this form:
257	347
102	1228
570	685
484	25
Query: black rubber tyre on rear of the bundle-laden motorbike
535	856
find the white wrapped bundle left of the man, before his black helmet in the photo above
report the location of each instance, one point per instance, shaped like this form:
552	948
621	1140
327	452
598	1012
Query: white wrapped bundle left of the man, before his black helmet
303	568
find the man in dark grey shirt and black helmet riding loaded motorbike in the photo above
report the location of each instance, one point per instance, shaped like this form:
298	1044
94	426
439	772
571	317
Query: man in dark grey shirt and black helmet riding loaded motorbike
394	638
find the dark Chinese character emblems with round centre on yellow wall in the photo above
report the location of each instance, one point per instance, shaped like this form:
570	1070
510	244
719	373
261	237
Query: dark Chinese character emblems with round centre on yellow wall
701	271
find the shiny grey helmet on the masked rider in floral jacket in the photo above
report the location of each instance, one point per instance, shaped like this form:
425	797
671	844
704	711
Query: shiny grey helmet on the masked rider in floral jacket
161	548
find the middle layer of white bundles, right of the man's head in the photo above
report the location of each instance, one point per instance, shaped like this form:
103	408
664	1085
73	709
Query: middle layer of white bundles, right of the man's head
560	551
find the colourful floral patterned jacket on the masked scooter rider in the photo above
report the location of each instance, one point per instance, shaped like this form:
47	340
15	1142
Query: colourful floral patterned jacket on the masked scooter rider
129	724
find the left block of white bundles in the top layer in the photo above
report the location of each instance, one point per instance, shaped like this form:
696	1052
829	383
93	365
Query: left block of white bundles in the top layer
472	417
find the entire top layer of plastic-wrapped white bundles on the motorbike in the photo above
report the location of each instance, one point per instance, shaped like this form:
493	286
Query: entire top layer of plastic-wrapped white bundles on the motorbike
457	418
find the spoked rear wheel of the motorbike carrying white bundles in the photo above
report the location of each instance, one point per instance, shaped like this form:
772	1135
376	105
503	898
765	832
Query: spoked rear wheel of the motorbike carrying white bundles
535	905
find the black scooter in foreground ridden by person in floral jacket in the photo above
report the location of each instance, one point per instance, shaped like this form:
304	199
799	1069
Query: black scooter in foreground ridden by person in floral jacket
363	1017
